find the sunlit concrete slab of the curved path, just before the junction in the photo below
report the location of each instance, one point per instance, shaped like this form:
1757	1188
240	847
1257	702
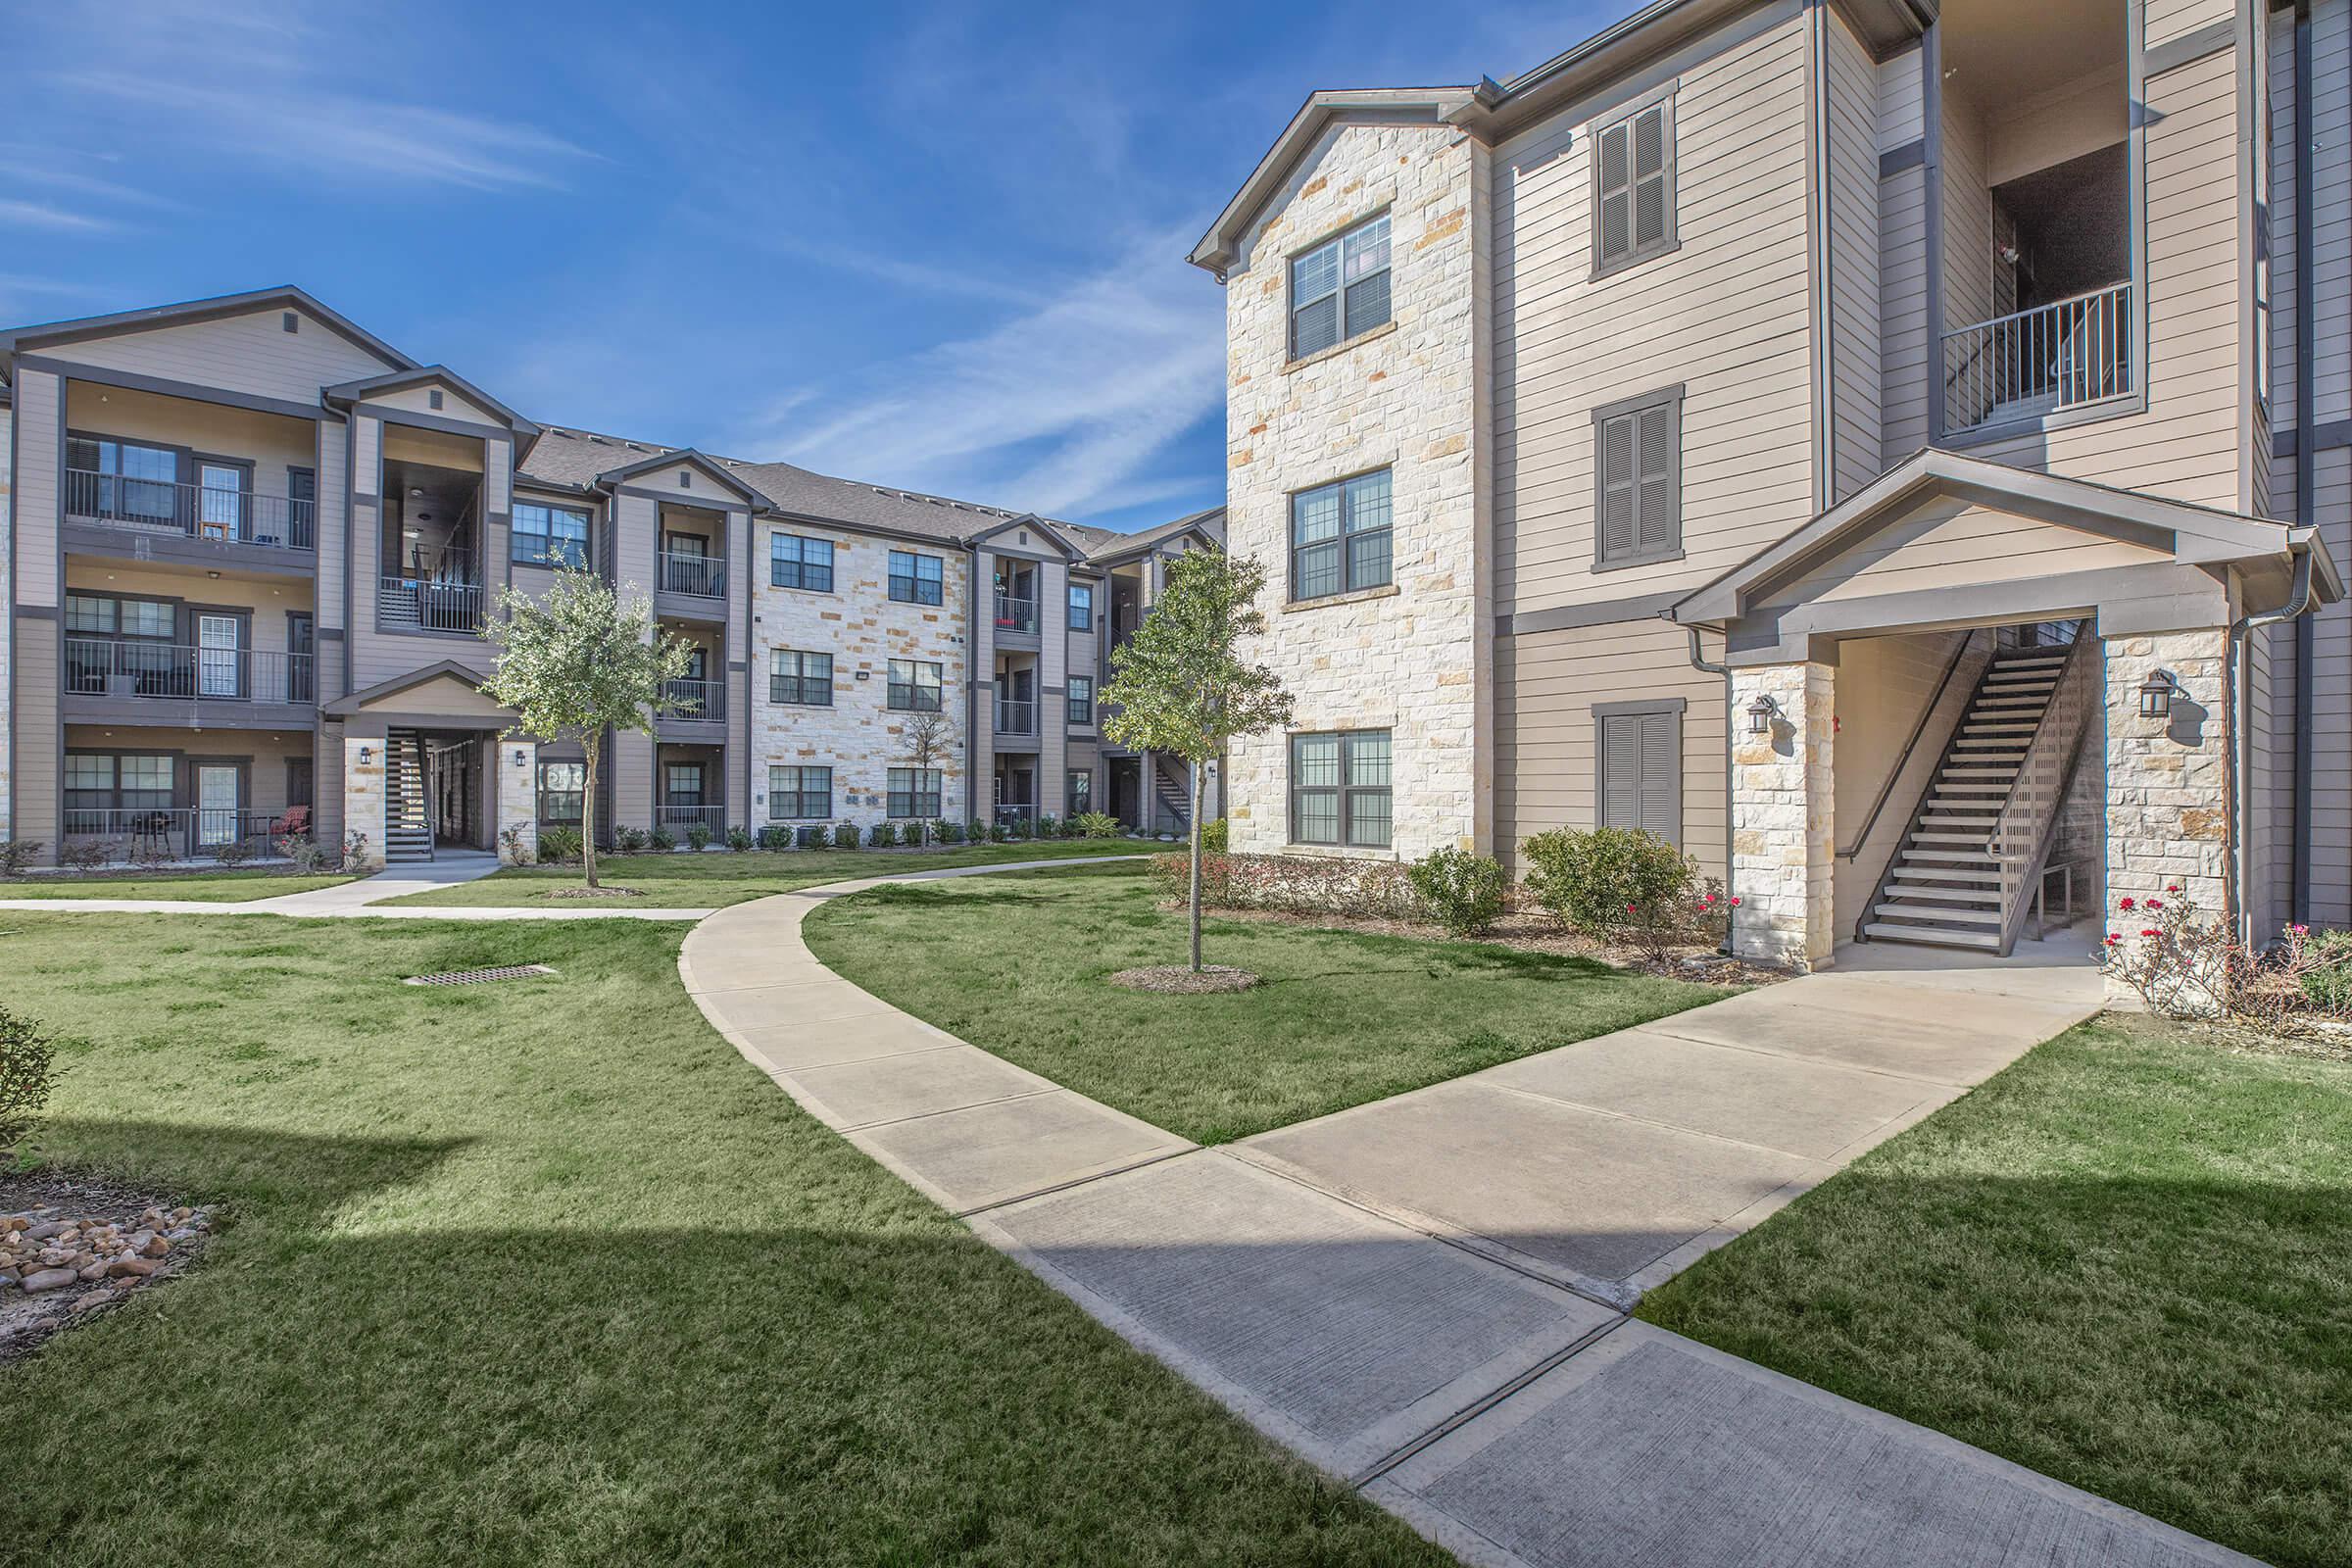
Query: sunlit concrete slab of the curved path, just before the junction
970	1160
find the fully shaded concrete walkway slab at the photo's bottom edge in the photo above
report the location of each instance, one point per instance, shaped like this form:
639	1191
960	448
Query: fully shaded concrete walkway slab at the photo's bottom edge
1652	1449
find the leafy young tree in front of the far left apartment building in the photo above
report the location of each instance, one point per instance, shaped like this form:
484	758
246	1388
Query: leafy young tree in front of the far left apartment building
577	662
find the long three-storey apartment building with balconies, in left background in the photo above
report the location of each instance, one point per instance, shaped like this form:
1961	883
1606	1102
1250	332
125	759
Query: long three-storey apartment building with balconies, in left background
250	549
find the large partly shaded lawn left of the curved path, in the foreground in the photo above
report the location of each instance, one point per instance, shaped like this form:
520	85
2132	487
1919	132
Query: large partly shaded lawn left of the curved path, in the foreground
544	1273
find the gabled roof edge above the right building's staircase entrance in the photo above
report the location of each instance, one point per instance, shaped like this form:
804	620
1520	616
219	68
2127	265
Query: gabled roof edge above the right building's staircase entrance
2193	535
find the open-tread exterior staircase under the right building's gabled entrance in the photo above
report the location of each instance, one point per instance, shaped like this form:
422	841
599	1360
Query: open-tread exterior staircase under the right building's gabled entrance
1982	833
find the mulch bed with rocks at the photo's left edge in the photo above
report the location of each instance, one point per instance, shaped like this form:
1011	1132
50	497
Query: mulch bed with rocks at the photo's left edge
102	1238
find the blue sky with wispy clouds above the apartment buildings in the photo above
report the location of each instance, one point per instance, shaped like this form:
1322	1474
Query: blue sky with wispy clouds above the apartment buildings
933	246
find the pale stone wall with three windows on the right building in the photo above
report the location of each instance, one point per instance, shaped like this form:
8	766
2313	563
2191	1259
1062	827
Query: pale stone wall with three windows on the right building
1417	657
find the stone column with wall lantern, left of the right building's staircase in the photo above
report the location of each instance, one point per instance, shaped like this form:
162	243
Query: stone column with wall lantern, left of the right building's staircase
1784	815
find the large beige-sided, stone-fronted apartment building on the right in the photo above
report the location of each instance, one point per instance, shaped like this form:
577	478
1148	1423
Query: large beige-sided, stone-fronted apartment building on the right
1895	450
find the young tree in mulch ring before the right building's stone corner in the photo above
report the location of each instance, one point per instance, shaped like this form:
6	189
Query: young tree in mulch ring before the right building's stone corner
1180	685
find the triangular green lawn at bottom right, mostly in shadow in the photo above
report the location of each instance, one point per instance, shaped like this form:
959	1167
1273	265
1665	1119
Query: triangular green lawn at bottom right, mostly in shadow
2125	1264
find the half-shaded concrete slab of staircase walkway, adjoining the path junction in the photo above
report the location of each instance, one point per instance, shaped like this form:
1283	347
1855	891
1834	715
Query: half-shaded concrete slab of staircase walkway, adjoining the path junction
1579	1195
